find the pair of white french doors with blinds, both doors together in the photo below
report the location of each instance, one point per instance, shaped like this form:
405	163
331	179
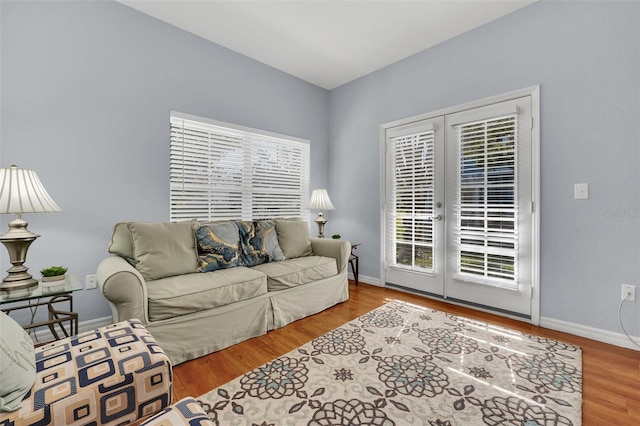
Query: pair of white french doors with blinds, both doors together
458	212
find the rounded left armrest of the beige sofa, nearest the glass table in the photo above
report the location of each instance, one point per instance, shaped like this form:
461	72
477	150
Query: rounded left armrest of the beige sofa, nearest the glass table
124	288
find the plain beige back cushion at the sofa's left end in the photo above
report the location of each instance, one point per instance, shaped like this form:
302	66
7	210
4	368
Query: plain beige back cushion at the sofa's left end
163	249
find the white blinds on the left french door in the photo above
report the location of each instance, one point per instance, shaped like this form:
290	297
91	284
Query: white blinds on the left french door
411	203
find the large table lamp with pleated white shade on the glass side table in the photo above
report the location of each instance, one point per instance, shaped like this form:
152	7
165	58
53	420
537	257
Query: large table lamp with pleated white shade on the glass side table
21	192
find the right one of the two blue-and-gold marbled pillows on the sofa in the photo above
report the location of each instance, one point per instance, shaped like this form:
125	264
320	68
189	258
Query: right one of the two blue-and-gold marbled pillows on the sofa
259	242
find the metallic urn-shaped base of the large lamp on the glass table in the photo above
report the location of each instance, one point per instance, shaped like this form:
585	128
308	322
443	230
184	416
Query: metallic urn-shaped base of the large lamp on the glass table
17	240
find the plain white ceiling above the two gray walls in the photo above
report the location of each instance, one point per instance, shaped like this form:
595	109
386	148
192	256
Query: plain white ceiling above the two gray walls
327	43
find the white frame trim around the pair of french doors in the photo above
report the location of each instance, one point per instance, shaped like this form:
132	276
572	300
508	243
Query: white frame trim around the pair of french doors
534	93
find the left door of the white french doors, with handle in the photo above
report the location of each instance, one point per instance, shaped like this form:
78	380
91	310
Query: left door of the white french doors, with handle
415	165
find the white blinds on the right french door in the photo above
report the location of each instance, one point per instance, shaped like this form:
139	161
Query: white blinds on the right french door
487	202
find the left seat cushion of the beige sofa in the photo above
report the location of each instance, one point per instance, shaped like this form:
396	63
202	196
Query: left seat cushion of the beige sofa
186	294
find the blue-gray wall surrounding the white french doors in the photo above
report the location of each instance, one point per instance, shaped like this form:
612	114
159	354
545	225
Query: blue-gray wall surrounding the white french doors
586	59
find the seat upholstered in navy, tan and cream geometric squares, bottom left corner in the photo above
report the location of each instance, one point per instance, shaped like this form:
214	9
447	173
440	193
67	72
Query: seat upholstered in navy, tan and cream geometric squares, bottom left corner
108	376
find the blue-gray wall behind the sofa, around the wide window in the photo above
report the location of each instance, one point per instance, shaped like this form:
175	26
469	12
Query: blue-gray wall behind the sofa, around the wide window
87	88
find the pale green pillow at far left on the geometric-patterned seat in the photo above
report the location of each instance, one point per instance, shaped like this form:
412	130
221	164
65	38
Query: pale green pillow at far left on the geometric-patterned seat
17	363
